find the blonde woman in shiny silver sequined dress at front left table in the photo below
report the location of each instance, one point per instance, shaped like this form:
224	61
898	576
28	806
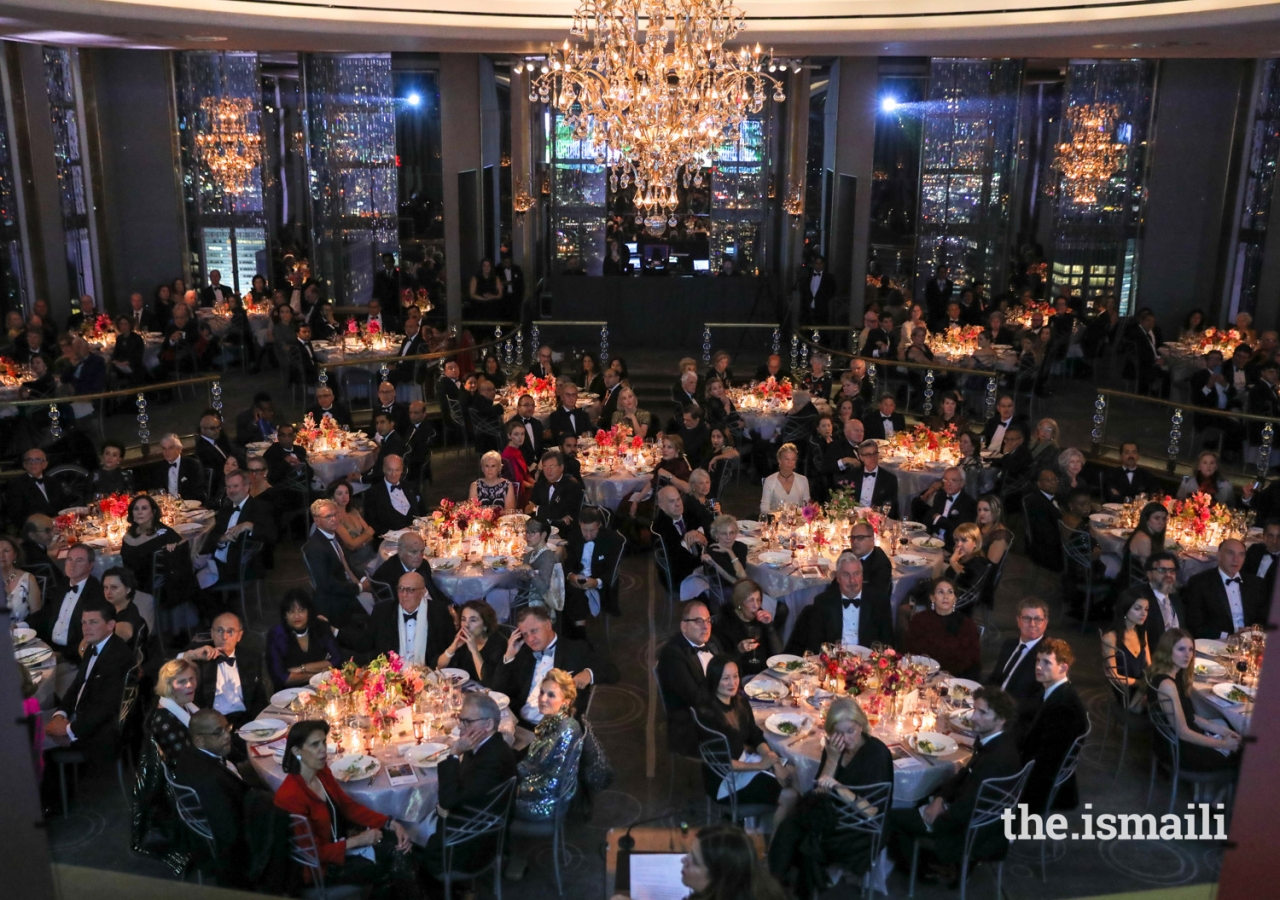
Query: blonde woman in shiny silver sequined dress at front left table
547	761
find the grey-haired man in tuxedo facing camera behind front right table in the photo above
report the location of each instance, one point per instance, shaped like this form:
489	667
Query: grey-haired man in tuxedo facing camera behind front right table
847	613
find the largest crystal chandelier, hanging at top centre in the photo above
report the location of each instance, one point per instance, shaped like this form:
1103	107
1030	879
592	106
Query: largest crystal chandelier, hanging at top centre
656	108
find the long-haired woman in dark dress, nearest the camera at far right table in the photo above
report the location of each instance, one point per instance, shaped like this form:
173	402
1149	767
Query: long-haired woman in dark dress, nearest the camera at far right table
1204	744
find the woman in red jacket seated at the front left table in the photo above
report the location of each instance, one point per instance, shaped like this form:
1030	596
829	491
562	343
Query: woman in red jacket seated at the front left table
351	839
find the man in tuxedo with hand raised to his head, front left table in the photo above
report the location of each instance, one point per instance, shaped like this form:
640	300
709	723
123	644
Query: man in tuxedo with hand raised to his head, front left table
533	651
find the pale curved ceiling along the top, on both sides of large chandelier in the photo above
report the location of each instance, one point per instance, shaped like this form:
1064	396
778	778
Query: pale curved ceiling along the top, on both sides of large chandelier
1053	29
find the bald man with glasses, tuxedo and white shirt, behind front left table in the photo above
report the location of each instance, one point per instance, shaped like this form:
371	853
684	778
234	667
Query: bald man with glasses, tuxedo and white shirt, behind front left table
417	628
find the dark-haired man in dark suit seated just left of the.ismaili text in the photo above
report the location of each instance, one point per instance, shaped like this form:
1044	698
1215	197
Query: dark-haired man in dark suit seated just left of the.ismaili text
941	824
